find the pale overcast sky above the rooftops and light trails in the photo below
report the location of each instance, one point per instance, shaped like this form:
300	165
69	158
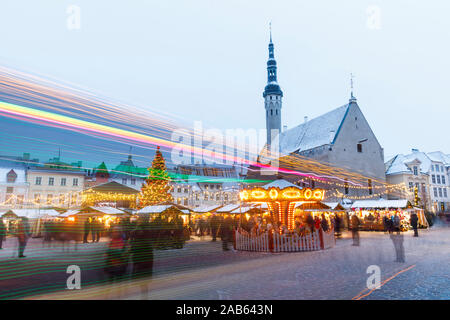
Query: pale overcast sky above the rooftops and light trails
206	60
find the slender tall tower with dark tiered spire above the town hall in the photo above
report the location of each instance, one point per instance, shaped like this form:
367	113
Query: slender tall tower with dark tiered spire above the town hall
272	97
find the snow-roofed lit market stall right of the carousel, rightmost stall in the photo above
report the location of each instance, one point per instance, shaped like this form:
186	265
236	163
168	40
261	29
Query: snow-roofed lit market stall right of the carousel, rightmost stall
372	212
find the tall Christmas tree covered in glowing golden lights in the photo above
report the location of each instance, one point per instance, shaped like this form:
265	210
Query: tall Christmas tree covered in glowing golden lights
156	188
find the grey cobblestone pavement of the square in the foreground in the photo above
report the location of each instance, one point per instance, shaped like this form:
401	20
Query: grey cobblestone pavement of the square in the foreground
338	273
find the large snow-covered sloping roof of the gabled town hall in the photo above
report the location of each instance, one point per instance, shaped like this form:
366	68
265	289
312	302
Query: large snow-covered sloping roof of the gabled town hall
313	133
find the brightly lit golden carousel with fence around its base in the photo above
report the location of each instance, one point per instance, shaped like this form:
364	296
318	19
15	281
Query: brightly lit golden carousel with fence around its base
283	231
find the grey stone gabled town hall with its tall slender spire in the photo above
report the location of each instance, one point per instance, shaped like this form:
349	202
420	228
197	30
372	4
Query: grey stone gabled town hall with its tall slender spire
340	140
